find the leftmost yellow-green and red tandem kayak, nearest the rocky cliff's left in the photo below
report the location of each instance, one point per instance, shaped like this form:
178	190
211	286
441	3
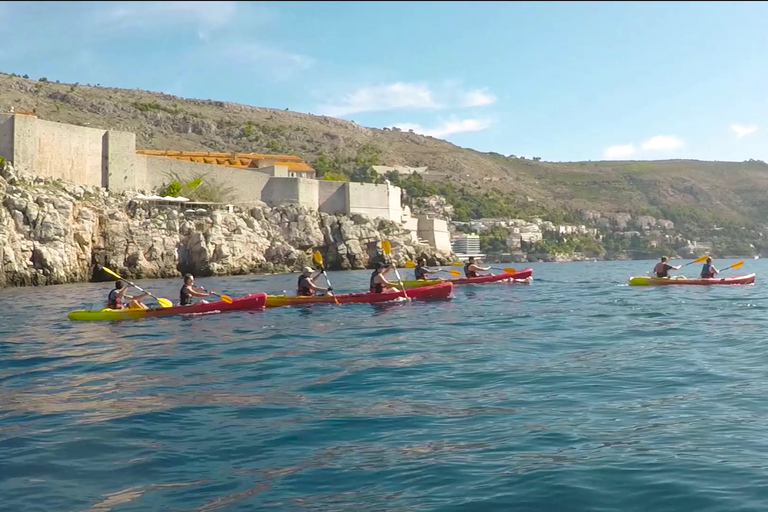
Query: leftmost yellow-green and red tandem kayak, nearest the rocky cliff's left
249	302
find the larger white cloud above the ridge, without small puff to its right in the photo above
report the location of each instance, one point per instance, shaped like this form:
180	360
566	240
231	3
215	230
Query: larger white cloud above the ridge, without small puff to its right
395	96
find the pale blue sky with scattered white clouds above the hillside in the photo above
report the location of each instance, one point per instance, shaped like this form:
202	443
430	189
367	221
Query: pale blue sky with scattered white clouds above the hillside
560	80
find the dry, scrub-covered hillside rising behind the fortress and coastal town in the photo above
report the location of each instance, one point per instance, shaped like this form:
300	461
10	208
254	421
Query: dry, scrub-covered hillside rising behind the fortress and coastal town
692	193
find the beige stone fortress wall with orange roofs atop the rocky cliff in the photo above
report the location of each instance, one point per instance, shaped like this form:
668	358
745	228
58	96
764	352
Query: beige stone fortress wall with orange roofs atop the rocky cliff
109	159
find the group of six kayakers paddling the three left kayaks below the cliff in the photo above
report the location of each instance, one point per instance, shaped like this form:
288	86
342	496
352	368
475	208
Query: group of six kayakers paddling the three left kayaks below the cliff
305	287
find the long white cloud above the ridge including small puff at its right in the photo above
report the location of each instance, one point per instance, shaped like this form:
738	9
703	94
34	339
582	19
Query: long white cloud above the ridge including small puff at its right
406	96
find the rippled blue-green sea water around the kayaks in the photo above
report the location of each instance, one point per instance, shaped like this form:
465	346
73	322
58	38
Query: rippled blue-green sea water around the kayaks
573	393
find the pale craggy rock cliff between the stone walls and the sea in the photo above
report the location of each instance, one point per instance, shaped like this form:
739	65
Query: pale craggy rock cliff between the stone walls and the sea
53	232
